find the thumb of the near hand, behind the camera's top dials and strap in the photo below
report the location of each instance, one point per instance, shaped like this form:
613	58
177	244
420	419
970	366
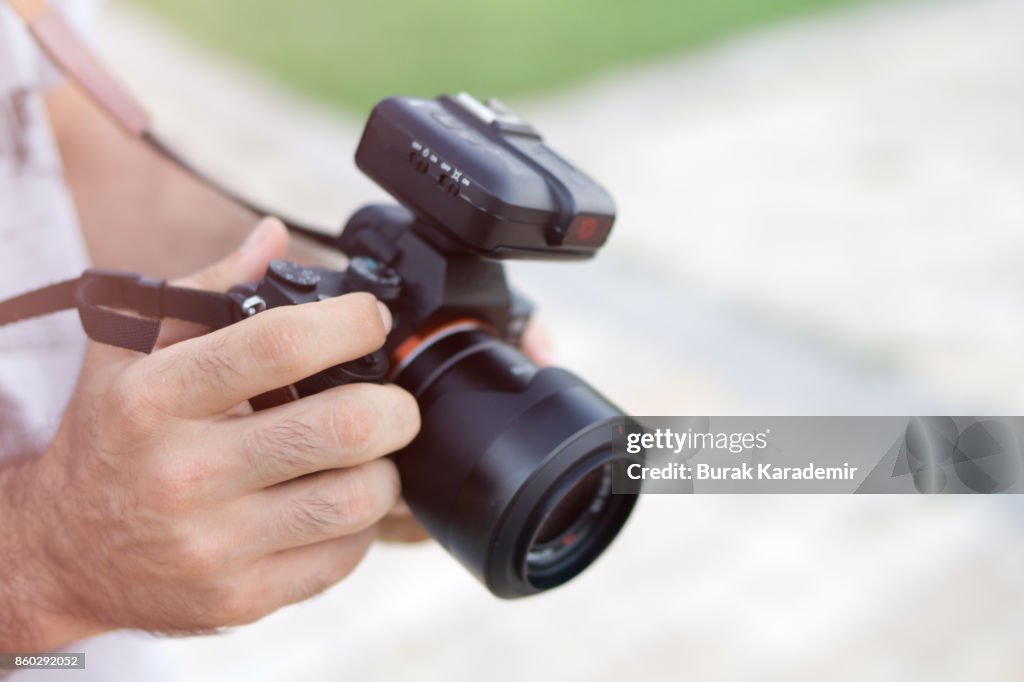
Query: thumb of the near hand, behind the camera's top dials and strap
247	264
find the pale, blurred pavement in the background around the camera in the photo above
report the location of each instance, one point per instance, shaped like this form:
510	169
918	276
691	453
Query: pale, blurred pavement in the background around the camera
824	218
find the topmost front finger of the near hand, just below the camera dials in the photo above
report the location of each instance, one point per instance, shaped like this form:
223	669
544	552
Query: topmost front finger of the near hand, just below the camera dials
211	374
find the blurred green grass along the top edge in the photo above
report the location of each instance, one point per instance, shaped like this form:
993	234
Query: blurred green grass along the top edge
351	54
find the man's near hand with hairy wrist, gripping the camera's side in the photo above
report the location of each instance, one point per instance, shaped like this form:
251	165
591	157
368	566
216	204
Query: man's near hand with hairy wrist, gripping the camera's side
165	504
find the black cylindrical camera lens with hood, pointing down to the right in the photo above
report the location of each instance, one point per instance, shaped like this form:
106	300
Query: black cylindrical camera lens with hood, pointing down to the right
514	466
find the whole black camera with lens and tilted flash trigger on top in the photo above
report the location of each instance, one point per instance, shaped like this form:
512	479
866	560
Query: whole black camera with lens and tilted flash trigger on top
513	471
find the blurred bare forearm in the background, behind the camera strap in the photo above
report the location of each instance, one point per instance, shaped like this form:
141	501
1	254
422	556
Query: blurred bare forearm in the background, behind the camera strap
139	211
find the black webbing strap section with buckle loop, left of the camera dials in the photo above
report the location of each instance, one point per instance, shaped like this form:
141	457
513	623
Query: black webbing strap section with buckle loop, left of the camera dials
100	294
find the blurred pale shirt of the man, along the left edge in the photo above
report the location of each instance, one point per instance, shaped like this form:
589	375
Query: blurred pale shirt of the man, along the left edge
40	243
